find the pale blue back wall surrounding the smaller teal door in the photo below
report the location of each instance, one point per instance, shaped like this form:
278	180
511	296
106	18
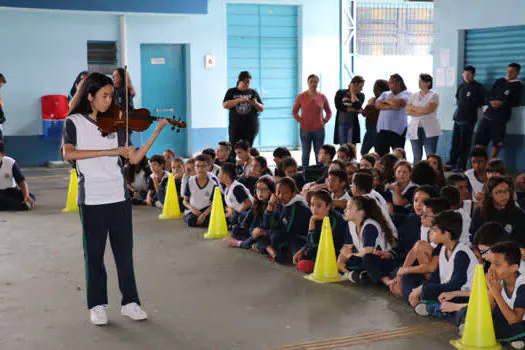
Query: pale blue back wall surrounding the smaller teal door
43	51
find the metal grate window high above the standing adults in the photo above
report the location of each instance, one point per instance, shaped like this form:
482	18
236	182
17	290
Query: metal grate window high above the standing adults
394	28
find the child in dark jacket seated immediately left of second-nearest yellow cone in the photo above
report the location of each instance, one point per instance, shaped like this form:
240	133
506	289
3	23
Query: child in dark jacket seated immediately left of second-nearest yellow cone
287	218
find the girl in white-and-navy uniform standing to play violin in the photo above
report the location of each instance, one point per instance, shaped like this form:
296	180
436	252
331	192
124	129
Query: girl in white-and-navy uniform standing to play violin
105	206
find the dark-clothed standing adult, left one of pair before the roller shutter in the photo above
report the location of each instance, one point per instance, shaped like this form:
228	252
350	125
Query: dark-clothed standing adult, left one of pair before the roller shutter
470	97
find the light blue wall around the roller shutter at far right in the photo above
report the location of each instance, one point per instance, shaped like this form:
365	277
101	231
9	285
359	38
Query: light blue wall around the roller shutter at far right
452	18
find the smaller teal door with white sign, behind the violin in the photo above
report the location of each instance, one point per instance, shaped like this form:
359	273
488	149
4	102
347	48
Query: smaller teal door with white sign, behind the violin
163	71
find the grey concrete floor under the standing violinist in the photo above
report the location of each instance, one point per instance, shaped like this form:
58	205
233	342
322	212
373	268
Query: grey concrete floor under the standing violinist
199	294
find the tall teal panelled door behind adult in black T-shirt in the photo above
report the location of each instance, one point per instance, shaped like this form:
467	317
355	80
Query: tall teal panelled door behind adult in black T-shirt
263	39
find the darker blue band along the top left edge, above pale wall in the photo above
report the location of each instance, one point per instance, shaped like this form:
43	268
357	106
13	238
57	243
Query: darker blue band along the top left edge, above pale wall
152	6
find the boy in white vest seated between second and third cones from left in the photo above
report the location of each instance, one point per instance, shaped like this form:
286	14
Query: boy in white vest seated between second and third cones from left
198	194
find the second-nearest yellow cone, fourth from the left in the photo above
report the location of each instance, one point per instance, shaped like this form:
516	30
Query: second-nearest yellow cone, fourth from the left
325	269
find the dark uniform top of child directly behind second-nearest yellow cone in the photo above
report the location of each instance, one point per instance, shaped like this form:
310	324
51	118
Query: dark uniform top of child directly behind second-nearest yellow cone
340	234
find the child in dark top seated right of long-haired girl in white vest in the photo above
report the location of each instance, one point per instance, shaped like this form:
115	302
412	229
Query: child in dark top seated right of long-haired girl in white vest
409	234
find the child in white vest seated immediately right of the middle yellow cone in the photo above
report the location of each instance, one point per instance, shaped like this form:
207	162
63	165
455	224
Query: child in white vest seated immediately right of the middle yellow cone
237	197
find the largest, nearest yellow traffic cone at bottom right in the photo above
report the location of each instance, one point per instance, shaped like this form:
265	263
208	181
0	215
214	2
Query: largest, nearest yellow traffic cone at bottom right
479	327
